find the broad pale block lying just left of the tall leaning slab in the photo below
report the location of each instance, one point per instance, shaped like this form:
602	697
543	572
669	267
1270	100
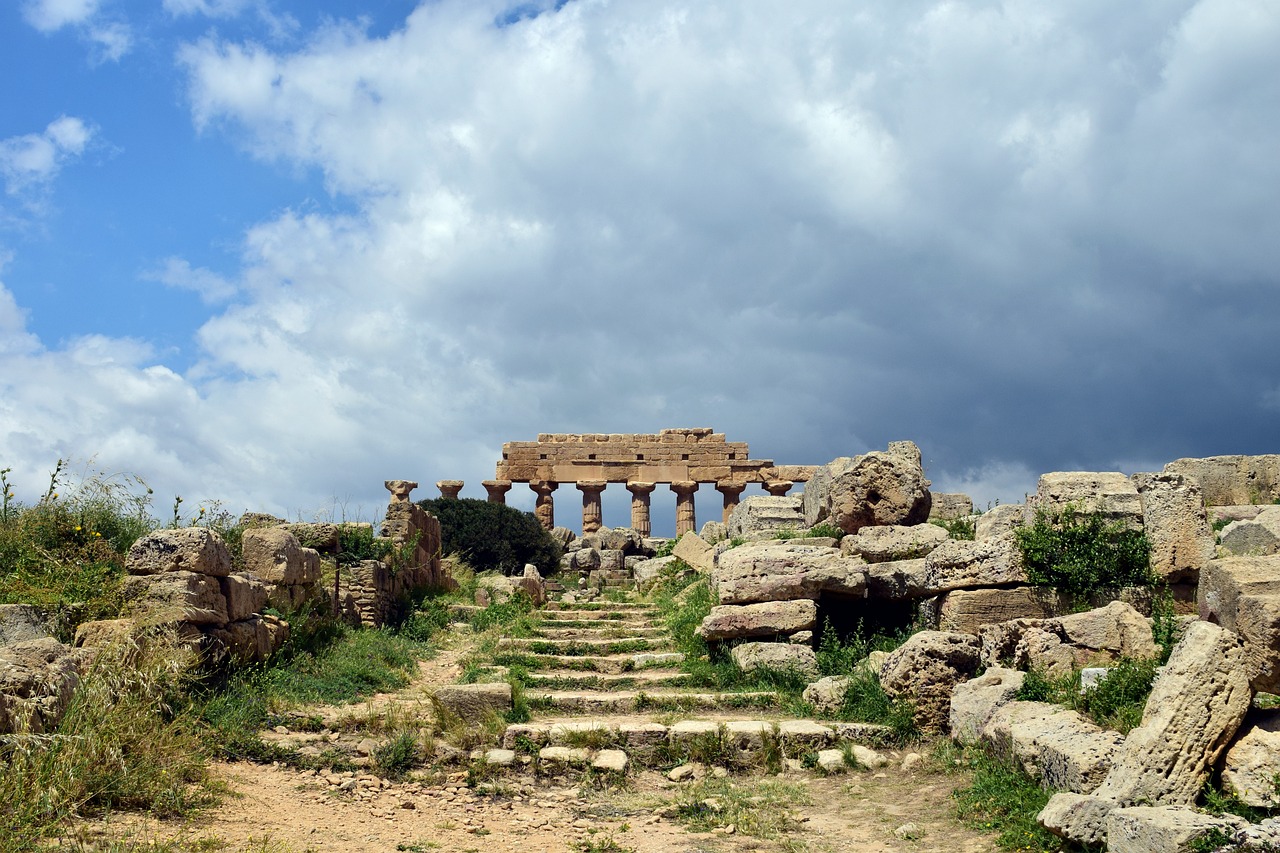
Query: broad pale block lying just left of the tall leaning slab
1064	751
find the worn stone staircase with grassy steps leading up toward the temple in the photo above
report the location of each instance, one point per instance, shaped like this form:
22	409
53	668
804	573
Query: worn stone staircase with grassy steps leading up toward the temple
604	685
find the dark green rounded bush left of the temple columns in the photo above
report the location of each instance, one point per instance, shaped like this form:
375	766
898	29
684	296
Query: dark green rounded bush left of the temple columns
493	536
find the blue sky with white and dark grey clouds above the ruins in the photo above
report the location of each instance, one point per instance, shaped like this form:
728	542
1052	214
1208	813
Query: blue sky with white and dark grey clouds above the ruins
273	253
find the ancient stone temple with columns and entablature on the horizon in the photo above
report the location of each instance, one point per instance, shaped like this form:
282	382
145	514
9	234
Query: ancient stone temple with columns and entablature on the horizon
682	459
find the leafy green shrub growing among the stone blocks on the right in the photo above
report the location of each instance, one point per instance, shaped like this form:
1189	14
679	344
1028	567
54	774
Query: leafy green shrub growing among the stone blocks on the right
1081	554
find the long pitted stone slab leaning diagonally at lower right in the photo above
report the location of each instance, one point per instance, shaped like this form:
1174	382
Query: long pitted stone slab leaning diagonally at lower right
1196	706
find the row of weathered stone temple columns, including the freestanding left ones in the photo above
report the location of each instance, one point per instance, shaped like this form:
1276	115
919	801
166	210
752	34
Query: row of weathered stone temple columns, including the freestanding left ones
545	505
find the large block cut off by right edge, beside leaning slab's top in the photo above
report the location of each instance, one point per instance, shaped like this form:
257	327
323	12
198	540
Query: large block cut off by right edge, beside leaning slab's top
1244	595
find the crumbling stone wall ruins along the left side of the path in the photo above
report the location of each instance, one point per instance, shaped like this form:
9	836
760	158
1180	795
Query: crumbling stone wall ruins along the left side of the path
181	581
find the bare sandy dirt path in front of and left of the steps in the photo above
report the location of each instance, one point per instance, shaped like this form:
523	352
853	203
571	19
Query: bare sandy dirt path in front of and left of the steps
282	810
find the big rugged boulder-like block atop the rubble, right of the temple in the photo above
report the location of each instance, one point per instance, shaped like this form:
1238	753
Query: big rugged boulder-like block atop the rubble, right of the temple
877	489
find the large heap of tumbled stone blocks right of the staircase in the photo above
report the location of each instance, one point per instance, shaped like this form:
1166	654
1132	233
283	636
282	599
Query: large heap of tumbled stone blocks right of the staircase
982	615
